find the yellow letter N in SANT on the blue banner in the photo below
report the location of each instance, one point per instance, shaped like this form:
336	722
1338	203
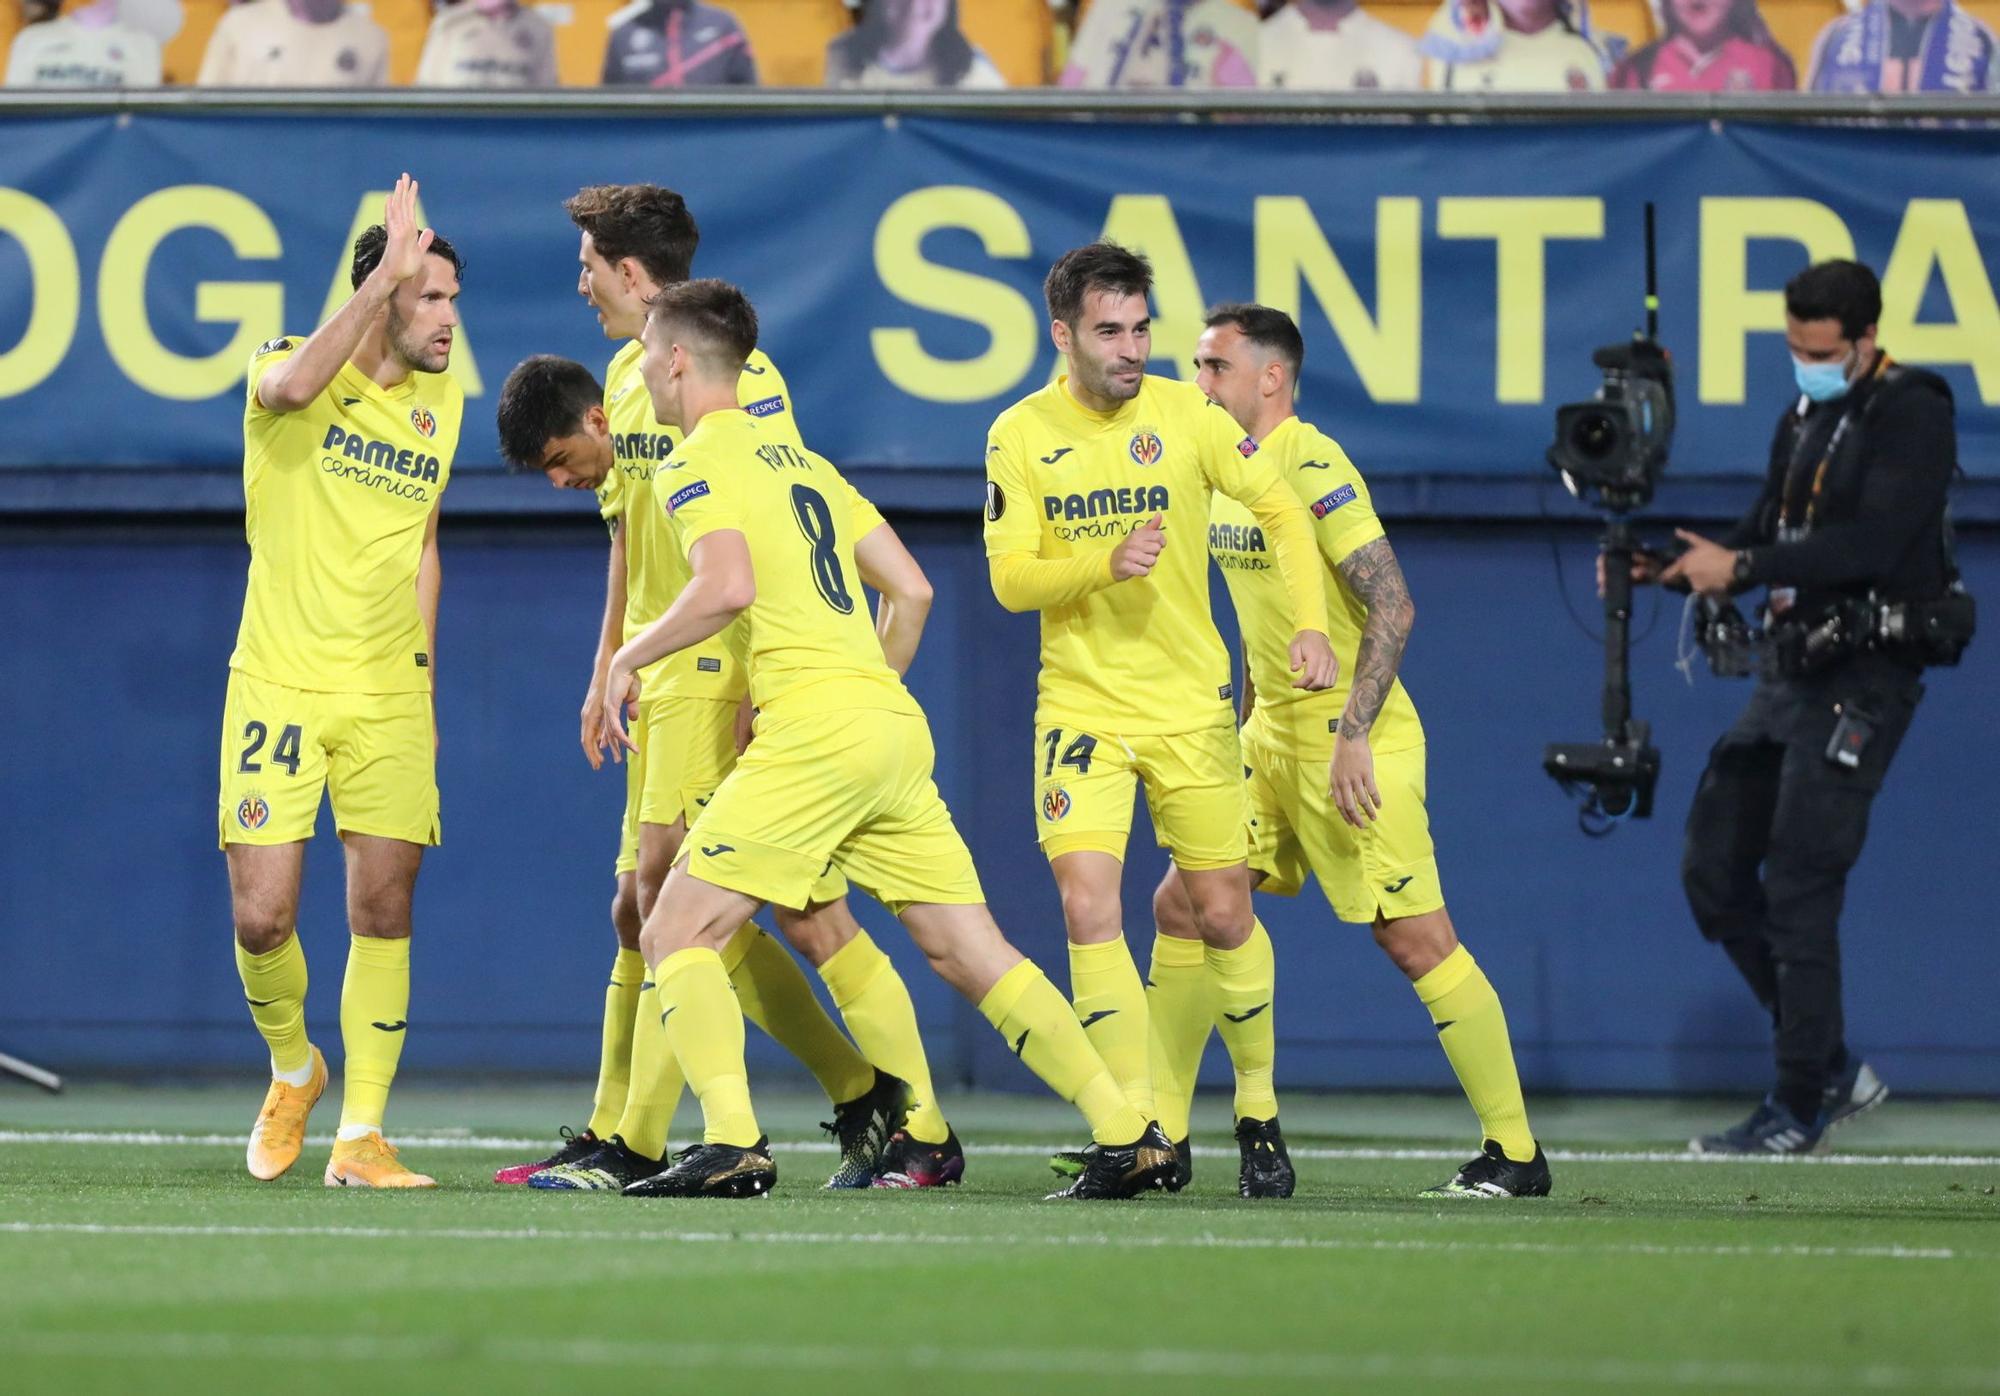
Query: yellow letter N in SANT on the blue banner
1385	349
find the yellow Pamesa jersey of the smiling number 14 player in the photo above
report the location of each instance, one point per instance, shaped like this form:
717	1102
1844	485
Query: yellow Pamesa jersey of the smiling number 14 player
1141	657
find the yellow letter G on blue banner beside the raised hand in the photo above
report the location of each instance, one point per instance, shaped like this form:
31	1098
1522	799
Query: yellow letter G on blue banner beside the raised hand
257	309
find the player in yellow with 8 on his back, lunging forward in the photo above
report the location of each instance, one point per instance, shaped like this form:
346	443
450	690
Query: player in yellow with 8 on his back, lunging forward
841	769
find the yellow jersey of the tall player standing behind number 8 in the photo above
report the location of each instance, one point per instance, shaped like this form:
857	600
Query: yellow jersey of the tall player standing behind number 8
655	563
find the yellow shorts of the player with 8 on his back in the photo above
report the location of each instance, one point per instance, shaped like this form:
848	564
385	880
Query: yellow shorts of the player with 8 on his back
835	793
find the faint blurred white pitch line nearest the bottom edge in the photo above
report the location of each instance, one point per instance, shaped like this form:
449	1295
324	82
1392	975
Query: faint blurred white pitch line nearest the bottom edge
1029	1363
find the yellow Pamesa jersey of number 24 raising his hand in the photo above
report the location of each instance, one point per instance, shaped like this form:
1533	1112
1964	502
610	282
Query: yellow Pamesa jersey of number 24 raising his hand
337	499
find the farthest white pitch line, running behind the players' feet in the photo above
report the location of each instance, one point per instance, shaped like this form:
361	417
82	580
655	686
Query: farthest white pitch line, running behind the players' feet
505	1145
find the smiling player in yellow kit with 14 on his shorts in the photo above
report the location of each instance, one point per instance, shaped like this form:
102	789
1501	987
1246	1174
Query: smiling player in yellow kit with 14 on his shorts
1089	487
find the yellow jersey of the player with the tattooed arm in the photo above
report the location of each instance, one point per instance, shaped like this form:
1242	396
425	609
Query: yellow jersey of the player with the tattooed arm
1333	491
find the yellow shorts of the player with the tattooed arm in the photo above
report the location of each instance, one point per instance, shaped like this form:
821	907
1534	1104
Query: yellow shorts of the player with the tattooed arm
1387	869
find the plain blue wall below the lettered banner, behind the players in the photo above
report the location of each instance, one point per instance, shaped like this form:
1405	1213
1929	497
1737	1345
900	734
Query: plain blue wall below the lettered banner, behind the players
115	911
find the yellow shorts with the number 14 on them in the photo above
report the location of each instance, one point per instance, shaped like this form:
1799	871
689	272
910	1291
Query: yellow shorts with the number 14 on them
1195	793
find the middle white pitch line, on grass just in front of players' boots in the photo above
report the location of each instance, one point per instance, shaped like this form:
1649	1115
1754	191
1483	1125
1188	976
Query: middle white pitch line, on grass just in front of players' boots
967	1241
